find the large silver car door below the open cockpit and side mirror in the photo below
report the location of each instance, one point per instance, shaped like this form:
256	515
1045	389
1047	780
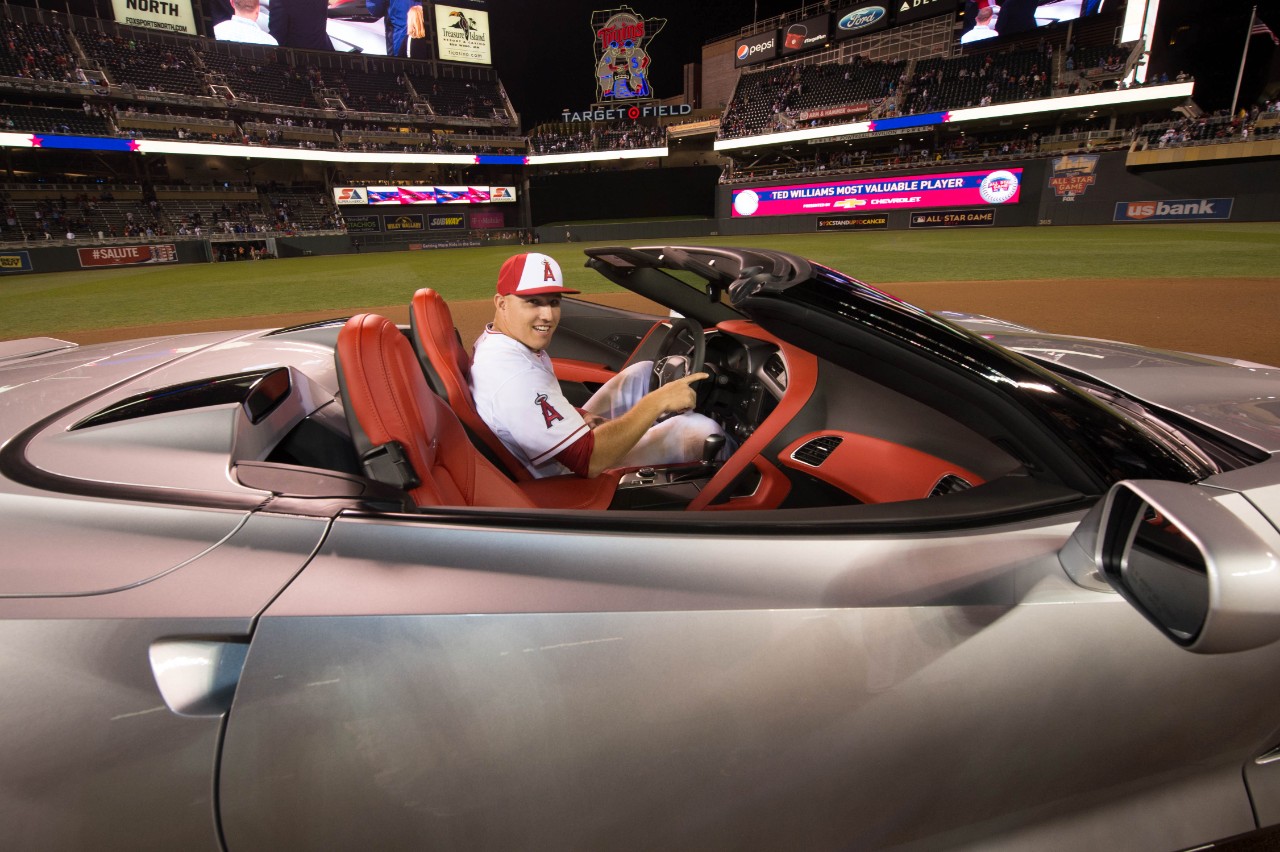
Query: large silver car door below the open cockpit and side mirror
788	693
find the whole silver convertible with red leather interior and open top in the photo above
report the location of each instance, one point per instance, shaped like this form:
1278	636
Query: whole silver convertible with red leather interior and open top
953	584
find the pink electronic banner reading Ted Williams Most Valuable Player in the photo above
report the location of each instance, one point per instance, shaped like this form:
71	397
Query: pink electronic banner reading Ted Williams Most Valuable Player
950	190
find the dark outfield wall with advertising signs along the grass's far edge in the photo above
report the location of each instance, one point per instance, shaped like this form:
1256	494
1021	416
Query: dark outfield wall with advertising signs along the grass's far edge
1071	190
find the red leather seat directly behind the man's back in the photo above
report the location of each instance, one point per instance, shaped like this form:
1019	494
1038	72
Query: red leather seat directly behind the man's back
447	367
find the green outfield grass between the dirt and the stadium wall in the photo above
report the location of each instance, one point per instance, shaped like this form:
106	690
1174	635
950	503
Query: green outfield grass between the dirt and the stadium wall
35	305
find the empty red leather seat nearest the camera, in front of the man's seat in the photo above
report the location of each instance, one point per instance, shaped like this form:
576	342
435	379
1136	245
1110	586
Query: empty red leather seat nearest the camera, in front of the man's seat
410	438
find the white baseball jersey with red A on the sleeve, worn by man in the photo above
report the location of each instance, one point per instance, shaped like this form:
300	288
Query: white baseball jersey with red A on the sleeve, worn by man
518	395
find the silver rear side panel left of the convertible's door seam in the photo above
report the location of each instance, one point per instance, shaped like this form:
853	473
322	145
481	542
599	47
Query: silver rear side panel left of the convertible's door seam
95	758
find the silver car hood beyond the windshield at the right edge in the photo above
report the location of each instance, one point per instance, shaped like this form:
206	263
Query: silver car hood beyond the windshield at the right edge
1235	397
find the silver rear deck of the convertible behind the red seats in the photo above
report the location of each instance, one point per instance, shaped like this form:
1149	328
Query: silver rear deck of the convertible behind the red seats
188	450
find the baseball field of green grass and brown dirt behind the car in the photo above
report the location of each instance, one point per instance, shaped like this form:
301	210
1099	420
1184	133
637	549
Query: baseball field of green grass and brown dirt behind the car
1210	288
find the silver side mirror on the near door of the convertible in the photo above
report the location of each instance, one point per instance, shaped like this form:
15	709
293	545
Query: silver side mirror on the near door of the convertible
1201	564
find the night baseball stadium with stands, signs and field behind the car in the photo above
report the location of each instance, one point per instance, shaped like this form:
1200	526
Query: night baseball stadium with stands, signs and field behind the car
145	150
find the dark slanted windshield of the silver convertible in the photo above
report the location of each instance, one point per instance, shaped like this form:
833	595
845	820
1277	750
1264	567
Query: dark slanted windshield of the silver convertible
1049	424
